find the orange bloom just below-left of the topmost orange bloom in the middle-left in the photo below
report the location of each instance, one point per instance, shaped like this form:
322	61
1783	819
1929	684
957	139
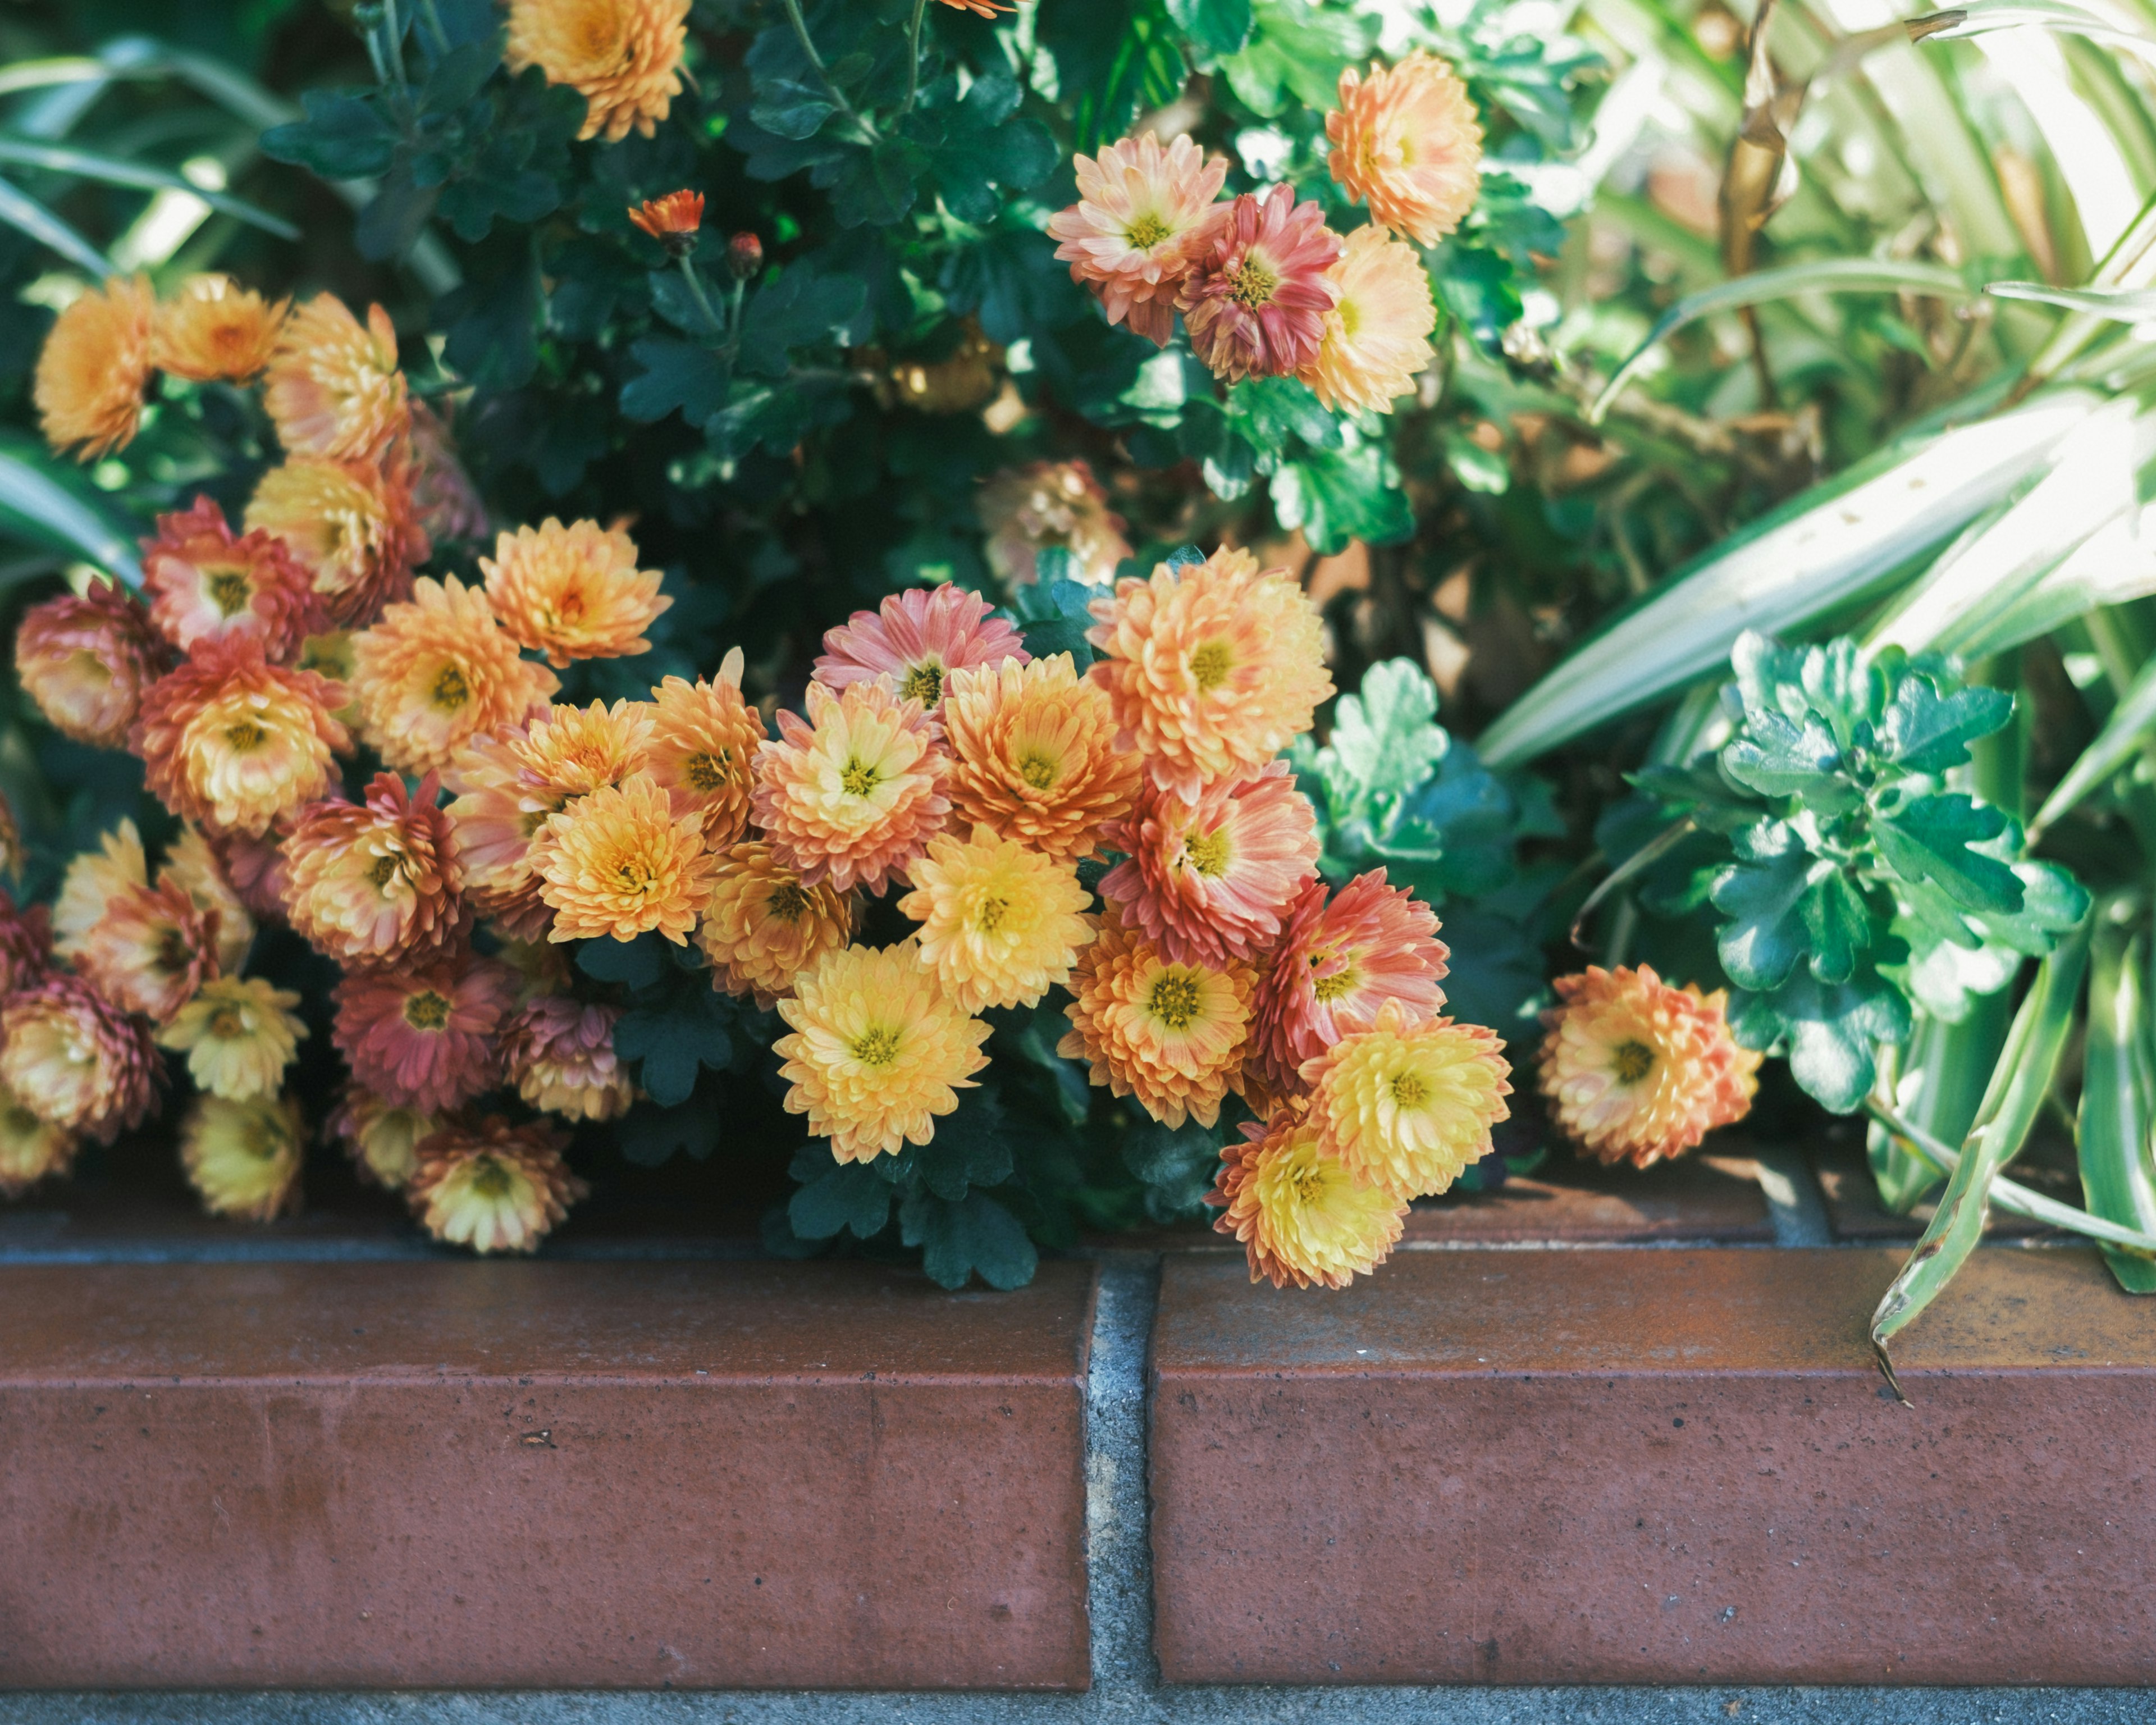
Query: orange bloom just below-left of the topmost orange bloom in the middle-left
439	672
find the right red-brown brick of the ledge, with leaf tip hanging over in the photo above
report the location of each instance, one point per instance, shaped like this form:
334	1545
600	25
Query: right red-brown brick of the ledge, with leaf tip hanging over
1655	1467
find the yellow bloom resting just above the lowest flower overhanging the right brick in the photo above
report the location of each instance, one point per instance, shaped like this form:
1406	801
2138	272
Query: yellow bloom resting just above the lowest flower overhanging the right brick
1409	1103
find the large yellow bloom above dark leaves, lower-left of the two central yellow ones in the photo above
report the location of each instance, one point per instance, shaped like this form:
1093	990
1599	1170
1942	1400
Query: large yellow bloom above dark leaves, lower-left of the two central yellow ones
876	1053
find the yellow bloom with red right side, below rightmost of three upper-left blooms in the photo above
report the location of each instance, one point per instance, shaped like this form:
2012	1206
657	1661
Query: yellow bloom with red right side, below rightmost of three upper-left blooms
353	525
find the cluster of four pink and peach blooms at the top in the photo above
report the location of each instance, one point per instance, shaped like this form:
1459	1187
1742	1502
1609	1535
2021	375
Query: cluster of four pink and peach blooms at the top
1264	288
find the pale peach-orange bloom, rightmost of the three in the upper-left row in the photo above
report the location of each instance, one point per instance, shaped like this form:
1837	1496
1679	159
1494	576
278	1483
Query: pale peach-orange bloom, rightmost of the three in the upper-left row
333	387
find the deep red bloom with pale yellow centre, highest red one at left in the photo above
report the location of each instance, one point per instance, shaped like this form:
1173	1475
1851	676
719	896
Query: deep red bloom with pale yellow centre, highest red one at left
208	581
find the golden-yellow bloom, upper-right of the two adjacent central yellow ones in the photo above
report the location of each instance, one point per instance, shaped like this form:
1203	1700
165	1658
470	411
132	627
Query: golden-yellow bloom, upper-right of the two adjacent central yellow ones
999	924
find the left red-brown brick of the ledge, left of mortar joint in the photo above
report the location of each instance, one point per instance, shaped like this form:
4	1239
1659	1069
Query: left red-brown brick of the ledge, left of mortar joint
540	1476
